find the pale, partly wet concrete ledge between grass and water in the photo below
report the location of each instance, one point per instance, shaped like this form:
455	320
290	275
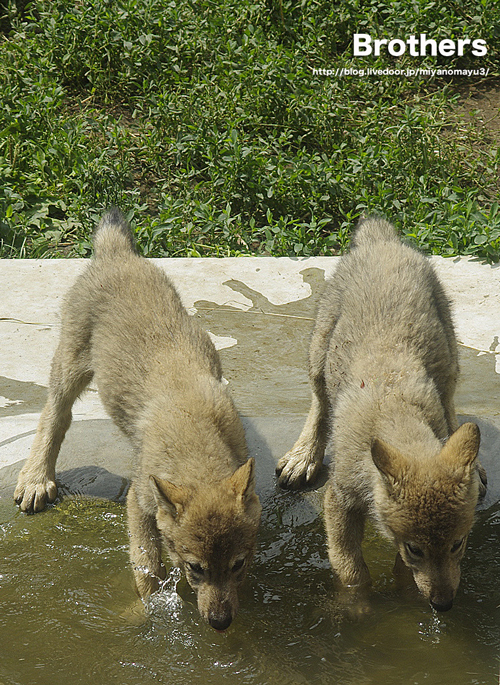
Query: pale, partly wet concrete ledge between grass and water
260	312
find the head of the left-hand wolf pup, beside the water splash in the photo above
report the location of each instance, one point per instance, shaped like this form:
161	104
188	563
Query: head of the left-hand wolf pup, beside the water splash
211	533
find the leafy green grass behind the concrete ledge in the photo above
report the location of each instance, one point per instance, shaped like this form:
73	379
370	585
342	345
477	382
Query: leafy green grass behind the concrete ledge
204	122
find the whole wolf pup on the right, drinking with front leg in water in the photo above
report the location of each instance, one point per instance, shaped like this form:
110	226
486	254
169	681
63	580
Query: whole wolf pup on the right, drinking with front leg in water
383	367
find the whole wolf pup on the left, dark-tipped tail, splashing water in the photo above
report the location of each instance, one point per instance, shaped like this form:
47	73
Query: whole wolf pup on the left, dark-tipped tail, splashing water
159	378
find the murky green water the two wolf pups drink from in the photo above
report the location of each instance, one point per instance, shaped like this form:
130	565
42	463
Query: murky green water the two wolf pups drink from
69	611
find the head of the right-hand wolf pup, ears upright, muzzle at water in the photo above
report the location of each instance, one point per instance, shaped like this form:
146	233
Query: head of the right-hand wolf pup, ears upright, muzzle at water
426	506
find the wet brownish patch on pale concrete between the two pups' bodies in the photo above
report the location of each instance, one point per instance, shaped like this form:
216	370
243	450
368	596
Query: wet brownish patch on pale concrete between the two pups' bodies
267	369
